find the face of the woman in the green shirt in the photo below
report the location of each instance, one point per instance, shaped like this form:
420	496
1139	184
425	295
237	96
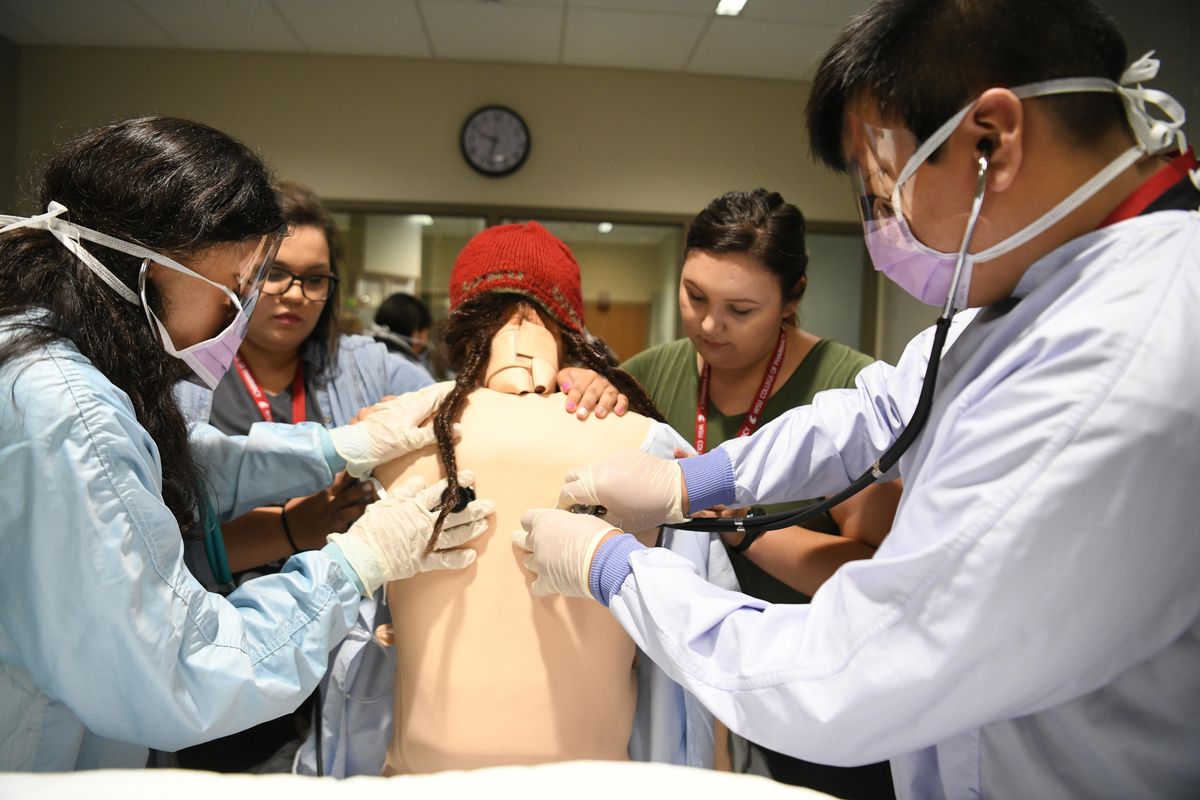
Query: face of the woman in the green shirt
731	308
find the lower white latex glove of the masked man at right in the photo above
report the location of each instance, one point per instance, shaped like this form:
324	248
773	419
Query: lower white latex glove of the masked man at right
561	548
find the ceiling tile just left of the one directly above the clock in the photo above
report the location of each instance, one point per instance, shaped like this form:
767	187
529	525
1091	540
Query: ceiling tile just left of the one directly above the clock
358	27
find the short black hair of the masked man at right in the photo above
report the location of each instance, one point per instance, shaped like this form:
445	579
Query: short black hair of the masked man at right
920	62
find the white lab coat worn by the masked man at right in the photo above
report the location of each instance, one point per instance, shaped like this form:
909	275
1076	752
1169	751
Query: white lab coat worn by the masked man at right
1030	627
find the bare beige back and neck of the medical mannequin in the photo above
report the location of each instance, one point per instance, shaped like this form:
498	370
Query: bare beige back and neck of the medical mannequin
487	673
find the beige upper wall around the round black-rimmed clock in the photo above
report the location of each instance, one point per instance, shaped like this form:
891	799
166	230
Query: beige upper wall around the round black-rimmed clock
374	129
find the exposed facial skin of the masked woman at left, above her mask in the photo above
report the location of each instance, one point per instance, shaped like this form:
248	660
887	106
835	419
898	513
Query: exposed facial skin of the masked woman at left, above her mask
195	311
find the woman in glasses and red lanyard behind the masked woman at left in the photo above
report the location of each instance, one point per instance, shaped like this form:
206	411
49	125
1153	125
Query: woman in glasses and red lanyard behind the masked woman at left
293	366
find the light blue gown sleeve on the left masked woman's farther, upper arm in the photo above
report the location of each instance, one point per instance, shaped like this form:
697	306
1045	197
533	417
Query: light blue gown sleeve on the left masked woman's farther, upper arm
273	464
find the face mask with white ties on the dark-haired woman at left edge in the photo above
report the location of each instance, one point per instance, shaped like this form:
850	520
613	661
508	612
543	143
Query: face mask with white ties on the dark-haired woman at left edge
211	359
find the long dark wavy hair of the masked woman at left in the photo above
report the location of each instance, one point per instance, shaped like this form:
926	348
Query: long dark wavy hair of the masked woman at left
172	187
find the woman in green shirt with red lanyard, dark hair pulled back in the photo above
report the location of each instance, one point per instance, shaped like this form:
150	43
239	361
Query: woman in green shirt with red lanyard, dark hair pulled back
742	282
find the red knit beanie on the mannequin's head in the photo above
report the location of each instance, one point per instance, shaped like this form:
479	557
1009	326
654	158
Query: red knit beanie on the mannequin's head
521	260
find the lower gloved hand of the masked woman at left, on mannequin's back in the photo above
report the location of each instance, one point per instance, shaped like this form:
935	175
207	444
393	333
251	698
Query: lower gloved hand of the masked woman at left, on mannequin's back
388	543
